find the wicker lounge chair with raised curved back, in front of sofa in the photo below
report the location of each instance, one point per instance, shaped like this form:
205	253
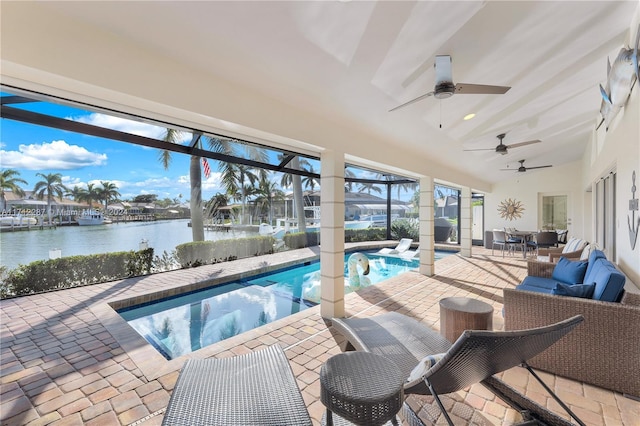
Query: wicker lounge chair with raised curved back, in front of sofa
474	358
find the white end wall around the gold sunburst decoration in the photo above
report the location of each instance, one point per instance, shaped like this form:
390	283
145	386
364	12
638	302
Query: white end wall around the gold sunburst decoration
526	187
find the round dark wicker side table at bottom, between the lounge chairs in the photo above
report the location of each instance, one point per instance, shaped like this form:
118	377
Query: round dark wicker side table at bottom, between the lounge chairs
362	388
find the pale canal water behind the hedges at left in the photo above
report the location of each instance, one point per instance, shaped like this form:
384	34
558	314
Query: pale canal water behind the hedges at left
23	247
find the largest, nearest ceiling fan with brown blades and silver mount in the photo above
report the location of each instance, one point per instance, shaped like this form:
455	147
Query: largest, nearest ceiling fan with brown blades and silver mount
445	88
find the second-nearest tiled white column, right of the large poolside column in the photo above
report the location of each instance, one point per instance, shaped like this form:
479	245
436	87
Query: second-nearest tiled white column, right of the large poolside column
427	236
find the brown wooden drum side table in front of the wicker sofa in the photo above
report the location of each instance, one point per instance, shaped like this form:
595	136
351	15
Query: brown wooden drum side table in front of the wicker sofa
463	313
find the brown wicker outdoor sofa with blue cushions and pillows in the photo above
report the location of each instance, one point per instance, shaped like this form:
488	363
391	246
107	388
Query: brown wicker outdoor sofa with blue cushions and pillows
604	350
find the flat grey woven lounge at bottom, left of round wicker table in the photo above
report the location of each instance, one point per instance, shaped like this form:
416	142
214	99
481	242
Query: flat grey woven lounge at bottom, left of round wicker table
257	388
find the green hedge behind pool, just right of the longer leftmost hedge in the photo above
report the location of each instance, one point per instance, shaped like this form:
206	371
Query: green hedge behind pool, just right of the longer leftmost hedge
210	252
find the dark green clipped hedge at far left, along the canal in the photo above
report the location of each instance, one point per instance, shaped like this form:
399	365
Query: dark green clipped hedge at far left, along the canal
74	271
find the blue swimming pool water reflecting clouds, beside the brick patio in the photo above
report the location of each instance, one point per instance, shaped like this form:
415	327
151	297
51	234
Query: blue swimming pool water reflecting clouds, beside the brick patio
185	323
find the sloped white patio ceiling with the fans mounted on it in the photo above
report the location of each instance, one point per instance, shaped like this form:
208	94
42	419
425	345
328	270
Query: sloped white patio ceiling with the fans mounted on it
354	61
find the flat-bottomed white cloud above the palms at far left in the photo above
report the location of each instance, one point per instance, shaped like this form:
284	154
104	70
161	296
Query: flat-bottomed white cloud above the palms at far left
57	155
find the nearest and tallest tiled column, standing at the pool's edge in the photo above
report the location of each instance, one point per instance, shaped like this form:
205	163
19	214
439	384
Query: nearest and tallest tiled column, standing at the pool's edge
332	234
